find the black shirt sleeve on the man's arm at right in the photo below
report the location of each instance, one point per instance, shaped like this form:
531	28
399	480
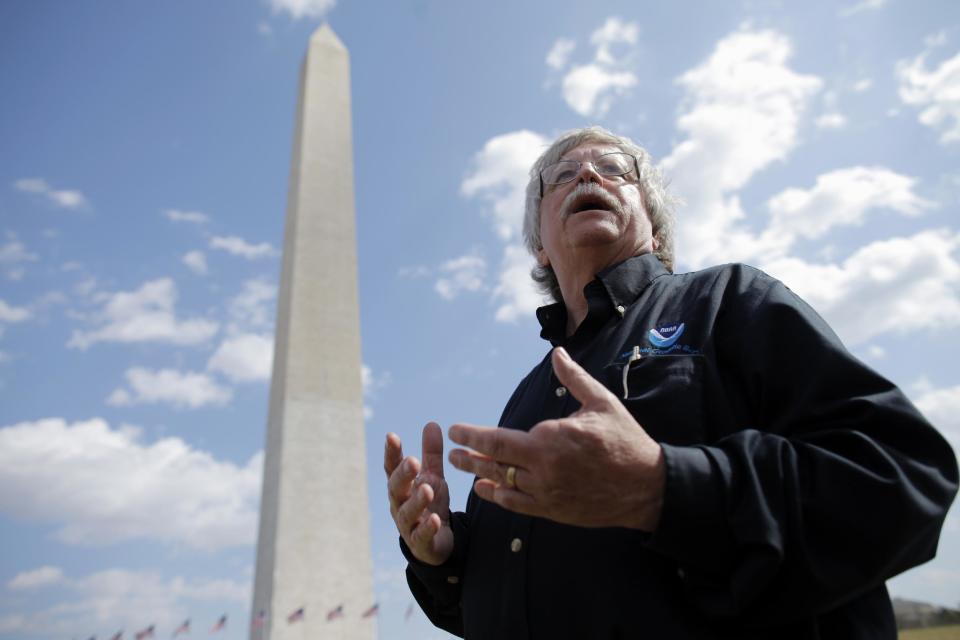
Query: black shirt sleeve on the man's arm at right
838	484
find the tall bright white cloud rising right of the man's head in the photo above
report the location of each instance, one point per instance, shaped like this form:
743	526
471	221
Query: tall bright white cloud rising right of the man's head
741	113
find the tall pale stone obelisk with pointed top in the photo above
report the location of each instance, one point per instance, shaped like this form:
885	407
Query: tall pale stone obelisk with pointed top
313	551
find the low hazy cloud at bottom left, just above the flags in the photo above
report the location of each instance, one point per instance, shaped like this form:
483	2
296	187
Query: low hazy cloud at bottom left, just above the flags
114	598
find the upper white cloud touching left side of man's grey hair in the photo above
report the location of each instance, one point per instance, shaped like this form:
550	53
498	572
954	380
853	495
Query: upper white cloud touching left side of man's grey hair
499	176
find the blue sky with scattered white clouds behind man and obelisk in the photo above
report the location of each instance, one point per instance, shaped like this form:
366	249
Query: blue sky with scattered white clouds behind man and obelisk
144	156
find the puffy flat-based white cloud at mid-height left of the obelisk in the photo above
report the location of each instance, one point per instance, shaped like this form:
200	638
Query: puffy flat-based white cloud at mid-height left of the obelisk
144	315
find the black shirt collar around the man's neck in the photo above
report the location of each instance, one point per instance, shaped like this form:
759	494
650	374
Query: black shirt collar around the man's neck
616	286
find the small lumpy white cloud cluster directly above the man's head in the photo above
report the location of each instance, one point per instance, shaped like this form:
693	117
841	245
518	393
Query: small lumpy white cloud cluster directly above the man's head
590	89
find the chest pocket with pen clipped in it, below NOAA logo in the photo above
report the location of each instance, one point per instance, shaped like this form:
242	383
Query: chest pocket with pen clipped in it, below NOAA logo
664	394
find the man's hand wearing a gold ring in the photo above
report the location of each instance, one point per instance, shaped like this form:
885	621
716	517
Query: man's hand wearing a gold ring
594	468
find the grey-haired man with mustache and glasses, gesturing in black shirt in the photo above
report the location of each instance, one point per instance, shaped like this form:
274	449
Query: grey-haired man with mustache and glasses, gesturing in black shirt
698	456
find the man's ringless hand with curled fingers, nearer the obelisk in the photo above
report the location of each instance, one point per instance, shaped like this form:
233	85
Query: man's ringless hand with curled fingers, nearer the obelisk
419	499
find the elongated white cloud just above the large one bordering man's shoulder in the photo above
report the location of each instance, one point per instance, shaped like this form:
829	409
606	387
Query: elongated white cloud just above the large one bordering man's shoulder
840	198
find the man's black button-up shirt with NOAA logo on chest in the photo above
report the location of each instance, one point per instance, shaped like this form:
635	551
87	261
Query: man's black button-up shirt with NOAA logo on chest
798	479
